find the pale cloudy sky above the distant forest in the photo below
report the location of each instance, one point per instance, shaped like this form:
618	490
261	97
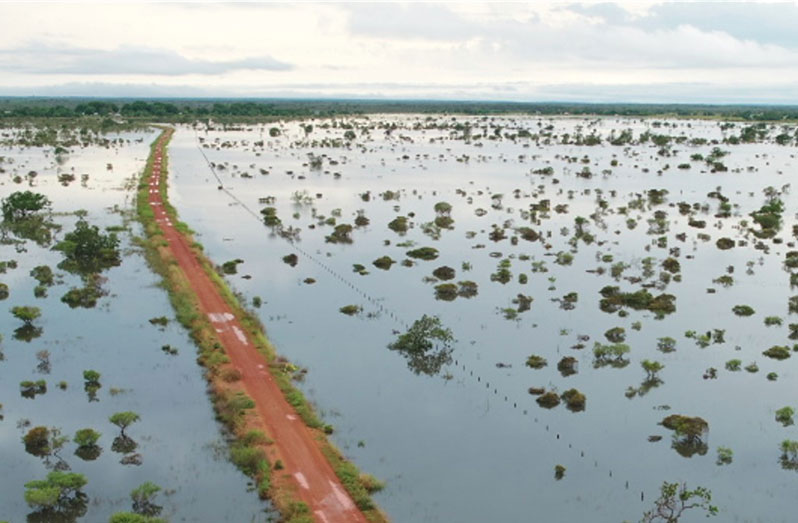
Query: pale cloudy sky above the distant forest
616	51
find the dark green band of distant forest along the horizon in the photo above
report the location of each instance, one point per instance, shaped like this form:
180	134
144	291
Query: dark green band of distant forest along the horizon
186	110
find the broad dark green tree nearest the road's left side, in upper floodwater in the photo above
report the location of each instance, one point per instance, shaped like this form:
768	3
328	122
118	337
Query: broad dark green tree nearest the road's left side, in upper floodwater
86	250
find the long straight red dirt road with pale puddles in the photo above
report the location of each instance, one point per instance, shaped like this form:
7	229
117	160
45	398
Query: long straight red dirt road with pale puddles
316	482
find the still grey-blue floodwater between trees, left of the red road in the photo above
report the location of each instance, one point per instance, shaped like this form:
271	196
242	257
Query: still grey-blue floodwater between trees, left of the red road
182	447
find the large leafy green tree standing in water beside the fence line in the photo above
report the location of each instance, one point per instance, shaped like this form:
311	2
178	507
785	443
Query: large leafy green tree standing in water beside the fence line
419	347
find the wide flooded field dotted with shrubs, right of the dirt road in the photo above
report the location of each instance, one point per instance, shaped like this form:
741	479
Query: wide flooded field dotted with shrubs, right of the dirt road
615	289
